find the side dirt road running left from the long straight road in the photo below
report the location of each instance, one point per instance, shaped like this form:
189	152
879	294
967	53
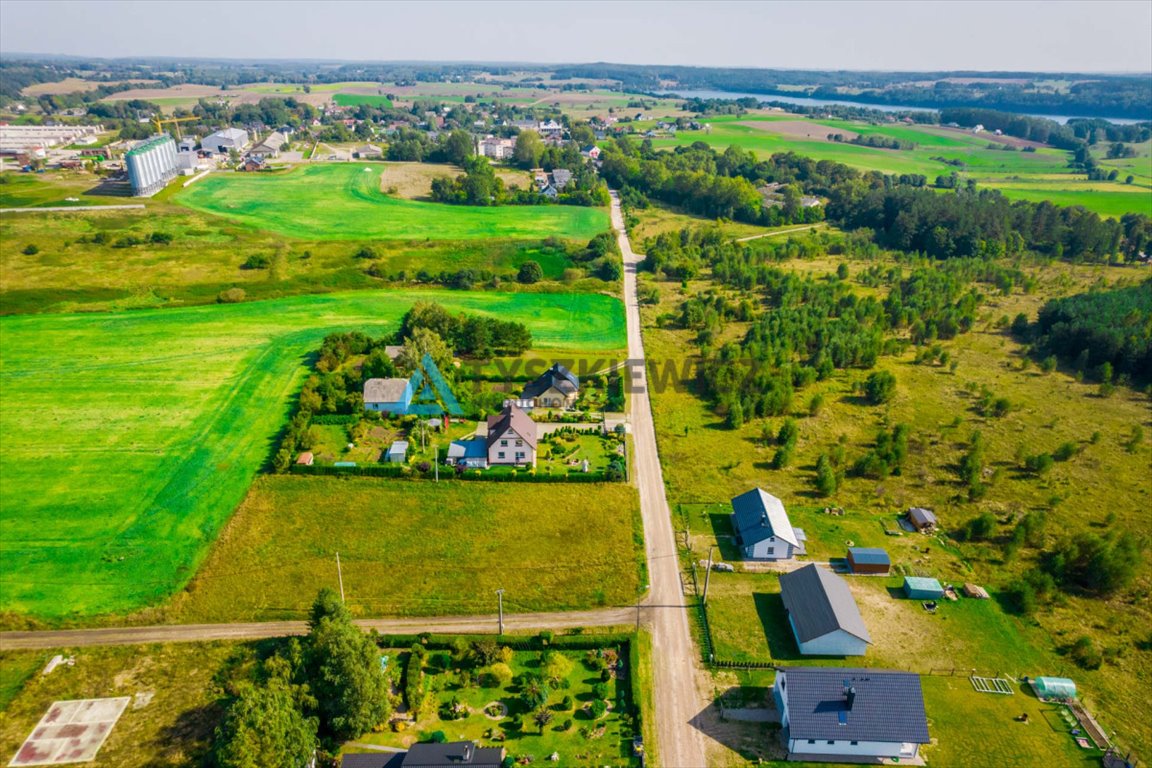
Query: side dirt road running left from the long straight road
257	630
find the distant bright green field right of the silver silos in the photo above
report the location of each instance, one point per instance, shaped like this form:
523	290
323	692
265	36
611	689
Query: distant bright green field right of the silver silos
345	202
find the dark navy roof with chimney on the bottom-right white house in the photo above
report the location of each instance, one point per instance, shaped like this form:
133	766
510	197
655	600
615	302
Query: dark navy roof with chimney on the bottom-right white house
888	706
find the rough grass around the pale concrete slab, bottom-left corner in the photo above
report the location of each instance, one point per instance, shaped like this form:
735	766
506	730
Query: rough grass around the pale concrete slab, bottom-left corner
172	731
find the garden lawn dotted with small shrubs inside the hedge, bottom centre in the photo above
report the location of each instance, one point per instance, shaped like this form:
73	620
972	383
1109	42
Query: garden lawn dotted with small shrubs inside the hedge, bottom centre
585	742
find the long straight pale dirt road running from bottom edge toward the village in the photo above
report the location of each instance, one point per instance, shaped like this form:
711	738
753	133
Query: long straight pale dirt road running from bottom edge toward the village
674	657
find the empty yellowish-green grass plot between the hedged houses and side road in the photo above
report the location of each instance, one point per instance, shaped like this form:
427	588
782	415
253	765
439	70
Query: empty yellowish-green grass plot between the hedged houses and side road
419	549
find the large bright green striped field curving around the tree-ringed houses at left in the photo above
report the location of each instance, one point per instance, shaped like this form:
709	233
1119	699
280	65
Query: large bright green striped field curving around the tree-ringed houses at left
138	434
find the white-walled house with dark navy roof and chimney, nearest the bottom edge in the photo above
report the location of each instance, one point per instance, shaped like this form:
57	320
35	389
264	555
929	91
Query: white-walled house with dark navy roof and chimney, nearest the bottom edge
851	716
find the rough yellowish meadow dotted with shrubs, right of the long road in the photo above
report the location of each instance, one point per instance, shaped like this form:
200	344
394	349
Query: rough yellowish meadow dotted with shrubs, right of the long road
707	463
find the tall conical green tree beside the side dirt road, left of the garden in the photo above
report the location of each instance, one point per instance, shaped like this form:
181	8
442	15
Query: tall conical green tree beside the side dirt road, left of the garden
344	670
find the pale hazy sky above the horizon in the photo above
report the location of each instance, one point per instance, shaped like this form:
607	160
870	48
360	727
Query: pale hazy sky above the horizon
1095	36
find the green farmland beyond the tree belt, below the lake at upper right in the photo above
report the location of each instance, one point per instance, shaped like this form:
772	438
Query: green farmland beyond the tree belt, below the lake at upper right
1014	172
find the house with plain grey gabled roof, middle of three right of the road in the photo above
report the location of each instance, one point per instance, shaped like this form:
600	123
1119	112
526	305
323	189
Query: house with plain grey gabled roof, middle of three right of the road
823	614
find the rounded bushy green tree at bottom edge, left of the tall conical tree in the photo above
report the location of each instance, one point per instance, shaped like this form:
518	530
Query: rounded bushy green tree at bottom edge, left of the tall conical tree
264	727
